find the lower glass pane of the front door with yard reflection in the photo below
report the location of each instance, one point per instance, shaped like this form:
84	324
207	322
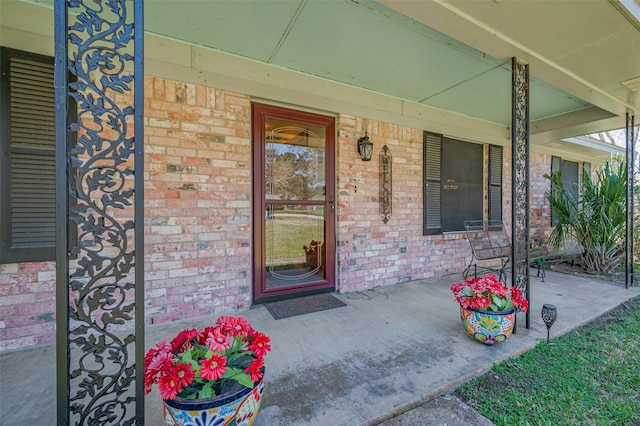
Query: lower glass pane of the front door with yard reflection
295	244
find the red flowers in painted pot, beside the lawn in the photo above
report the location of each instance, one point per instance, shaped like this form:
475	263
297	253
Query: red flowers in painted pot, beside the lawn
488	308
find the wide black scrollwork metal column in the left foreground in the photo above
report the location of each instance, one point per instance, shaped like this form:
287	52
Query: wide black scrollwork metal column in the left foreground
99	212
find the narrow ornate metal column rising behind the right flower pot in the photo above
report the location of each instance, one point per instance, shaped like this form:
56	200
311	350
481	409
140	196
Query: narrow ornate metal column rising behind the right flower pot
520	170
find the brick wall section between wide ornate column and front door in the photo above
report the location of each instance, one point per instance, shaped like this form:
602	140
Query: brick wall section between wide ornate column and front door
197	200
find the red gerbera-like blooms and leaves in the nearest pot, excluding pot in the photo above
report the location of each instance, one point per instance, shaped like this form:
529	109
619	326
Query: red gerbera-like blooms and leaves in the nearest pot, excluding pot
203	363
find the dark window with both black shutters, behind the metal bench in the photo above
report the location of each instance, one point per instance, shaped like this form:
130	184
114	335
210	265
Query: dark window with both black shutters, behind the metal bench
454	183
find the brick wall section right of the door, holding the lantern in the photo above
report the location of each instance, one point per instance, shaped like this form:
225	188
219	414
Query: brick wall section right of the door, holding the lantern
370	252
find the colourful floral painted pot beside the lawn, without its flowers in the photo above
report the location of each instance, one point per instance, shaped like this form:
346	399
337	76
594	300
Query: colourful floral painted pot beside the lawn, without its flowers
488	327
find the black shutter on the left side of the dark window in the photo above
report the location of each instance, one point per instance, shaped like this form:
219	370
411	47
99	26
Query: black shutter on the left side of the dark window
432	221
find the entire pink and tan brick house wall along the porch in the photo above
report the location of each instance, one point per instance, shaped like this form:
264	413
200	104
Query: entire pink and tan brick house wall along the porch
198	237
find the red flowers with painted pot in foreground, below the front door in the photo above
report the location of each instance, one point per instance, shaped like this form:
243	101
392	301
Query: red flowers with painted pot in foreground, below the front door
211	374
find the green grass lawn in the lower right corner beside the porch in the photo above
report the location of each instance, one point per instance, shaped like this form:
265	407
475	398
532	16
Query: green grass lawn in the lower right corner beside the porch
590	376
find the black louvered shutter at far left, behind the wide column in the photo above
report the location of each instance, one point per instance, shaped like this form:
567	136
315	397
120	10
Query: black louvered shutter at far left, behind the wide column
27	157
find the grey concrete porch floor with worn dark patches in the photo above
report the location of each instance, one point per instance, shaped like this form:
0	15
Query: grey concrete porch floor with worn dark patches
388	351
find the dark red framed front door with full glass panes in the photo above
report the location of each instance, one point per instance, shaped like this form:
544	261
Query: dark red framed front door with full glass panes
294	194
